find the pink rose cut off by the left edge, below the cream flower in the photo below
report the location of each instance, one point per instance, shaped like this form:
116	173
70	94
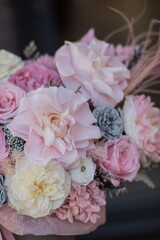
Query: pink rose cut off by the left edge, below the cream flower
10	97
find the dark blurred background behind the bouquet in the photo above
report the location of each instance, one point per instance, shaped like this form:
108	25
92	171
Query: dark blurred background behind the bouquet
133	215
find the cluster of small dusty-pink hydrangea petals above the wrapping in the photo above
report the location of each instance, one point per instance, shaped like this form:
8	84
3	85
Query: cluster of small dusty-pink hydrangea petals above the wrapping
83	204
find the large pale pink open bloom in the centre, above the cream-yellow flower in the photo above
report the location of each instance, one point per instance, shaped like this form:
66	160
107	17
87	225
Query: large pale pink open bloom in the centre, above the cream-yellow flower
56	124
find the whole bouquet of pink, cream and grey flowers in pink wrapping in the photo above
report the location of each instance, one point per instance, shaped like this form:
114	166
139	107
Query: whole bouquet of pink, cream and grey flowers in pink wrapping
74	127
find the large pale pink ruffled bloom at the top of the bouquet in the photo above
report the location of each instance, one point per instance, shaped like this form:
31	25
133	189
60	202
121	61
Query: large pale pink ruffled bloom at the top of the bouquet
86	65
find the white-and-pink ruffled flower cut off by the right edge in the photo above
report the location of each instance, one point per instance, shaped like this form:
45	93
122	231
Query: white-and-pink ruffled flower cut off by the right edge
142	125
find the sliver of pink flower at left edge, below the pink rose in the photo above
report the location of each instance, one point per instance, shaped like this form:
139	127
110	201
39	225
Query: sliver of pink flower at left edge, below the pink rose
4	149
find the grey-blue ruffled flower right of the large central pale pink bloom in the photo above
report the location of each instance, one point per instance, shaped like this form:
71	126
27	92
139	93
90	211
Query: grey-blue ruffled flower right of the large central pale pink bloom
109	122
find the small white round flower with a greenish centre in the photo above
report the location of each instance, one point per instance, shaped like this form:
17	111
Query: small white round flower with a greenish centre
84	173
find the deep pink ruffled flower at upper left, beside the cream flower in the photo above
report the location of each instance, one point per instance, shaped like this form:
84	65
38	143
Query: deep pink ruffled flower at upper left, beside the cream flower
33	76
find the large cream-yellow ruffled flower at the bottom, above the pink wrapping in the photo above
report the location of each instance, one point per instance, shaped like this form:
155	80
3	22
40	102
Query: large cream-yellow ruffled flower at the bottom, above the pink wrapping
37	190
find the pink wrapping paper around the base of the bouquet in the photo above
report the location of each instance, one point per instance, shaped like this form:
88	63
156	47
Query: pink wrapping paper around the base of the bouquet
49	225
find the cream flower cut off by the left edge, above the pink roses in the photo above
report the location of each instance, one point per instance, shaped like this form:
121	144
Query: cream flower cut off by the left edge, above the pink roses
9	64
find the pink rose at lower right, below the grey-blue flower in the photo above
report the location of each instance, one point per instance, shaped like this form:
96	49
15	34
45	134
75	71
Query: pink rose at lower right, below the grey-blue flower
121	159
